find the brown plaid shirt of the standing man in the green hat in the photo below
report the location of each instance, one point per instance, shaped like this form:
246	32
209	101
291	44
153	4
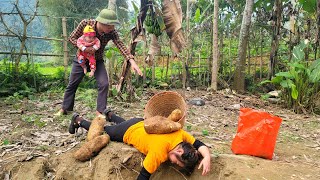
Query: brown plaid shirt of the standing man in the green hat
104	39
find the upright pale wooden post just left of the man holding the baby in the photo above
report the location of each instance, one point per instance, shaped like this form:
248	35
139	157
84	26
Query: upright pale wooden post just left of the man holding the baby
65	48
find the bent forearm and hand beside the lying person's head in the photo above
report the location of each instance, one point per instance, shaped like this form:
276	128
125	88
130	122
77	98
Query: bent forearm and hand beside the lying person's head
205	152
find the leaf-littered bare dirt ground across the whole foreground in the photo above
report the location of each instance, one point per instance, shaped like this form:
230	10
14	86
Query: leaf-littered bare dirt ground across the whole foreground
34	145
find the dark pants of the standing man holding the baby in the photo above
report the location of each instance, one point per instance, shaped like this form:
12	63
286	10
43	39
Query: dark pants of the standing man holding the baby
76	77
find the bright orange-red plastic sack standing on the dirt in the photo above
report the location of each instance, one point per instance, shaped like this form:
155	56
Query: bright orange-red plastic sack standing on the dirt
257	133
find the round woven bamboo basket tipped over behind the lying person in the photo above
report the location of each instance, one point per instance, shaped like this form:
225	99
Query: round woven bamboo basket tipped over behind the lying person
164	103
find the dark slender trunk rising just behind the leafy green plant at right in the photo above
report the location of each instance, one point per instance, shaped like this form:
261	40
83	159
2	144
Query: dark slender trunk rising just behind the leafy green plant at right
276	15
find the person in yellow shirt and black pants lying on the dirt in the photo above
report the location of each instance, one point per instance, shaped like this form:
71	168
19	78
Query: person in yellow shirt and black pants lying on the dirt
179	147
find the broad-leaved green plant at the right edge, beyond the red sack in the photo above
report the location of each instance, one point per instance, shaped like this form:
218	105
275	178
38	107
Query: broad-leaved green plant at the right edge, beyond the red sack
300	83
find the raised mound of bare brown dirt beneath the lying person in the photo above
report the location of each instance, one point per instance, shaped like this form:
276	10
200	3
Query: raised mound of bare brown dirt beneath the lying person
120	161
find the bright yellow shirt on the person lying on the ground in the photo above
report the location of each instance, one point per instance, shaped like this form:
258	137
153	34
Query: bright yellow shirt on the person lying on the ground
155	146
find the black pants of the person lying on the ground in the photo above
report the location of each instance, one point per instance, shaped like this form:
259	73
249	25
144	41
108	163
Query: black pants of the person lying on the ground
116	132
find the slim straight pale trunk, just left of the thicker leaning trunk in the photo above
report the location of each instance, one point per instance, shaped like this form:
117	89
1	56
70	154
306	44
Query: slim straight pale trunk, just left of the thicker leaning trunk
215	50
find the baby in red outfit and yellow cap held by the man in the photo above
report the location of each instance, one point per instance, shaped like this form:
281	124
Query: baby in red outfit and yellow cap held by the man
88	39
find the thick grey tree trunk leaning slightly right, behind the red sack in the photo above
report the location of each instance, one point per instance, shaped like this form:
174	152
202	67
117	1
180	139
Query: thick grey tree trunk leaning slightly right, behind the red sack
239	79
